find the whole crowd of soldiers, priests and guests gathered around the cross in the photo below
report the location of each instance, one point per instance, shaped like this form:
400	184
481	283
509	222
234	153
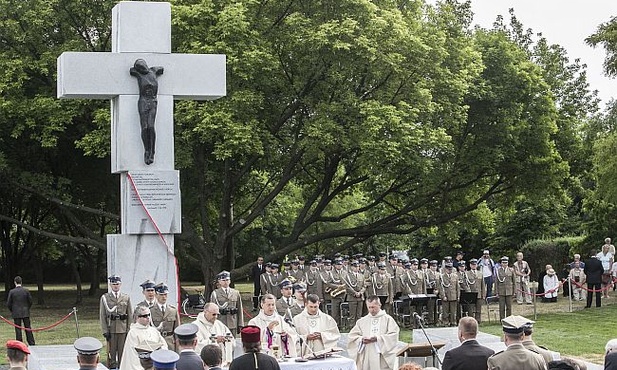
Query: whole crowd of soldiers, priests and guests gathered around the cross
301	306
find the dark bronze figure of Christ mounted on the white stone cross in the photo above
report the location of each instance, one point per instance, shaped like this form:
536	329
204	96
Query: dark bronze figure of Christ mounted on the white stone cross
146	105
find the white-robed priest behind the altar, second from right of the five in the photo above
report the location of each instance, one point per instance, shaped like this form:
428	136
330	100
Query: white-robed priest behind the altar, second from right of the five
317	329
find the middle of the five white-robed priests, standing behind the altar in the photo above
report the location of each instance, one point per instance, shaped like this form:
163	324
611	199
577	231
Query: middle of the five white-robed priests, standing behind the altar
274	329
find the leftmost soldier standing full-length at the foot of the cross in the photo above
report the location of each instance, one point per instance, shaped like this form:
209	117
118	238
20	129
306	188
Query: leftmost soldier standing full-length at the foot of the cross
115	315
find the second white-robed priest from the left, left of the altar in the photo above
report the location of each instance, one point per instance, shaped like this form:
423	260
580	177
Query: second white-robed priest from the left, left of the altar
213	331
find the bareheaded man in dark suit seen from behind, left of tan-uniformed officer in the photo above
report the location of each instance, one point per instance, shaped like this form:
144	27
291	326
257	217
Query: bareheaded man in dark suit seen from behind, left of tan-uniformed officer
470	355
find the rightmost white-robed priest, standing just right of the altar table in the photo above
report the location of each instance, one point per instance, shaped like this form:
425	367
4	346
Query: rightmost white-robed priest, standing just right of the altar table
373	341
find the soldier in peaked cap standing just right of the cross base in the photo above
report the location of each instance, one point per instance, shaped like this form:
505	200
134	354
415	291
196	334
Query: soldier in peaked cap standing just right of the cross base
229	302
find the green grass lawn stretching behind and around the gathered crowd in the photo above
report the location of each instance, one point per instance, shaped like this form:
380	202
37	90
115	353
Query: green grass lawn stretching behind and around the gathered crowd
582	333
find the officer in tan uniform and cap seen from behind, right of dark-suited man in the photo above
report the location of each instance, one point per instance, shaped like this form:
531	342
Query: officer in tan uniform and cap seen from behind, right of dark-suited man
515	356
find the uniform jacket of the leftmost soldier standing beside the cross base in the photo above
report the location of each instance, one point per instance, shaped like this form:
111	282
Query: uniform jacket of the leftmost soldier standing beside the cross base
115	314
